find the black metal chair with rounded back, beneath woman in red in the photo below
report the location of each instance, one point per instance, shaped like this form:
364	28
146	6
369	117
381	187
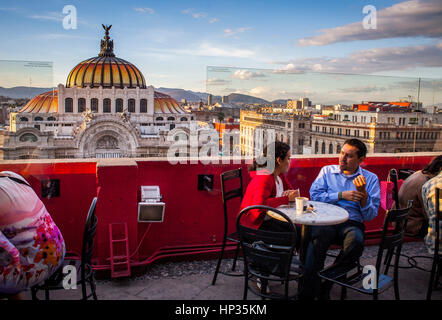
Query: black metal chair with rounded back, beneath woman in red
268	256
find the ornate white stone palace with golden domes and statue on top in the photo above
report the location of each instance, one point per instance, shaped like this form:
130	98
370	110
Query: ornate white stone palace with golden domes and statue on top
105	110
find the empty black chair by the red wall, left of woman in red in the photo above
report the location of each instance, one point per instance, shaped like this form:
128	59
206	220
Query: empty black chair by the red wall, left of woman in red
227	195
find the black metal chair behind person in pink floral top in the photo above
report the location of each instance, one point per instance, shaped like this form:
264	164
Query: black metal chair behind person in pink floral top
83	265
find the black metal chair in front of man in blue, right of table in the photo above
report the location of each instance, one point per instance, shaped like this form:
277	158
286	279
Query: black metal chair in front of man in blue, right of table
352	276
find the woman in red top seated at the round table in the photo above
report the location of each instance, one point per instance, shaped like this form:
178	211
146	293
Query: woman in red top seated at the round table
269	188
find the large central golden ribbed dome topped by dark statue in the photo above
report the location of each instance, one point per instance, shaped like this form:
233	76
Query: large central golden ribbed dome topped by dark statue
106	70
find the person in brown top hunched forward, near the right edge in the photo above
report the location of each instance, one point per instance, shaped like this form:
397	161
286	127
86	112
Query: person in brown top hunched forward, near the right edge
411	189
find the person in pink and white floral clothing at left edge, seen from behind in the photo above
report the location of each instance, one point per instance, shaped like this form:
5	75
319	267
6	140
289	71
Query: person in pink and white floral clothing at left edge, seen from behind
31	245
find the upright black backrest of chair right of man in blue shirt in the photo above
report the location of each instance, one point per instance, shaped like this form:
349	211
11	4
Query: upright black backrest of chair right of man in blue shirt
391	239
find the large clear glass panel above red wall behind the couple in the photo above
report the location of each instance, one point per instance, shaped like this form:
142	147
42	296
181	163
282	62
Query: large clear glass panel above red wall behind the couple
390	114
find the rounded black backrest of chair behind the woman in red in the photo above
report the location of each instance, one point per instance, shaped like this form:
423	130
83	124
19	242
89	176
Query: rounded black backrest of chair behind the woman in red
267	252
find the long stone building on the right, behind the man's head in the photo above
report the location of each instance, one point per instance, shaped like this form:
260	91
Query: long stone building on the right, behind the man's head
383	131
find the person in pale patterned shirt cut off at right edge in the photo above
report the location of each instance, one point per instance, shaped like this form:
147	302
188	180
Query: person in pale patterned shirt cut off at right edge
429	197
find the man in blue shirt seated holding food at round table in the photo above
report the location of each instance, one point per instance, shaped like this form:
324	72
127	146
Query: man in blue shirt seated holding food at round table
356	190
